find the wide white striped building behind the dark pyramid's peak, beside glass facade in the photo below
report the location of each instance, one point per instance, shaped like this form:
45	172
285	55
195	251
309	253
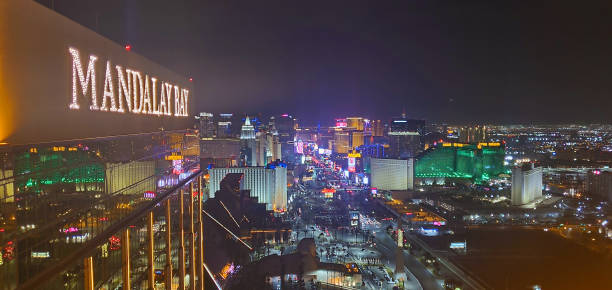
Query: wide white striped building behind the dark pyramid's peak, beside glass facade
268	184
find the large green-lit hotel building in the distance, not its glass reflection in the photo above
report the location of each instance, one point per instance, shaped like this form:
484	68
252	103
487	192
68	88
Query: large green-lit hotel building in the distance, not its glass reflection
478	162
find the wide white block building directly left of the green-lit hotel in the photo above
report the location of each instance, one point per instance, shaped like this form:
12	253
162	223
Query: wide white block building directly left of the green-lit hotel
392	174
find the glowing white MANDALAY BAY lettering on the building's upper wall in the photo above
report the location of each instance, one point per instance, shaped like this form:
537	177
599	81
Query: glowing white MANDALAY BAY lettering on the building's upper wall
125	90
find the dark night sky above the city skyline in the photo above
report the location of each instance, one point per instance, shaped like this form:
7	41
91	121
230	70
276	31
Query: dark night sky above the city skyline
455	61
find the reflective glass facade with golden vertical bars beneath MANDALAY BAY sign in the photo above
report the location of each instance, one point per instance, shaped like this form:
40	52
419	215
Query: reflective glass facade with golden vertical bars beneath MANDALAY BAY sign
106	213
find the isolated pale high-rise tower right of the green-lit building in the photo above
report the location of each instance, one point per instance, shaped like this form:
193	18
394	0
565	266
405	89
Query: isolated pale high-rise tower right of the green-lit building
526	184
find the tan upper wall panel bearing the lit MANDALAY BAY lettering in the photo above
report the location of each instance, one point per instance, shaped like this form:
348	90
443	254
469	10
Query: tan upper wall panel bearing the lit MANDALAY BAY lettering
61	81
